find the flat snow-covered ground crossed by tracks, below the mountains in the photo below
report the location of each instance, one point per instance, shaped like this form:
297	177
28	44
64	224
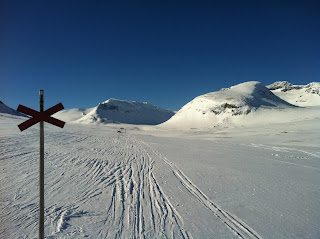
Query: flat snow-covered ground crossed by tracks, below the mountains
241	181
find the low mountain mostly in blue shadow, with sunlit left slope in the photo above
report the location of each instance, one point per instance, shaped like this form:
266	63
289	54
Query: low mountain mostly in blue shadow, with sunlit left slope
118	111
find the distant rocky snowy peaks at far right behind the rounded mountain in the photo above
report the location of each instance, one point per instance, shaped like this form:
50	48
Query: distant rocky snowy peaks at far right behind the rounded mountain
301	95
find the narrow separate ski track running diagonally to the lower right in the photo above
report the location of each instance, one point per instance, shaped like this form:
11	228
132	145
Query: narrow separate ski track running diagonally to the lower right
237	226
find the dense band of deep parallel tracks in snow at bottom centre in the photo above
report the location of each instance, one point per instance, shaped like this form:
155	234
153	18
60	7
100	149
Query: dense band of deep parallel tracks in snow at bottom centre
138	207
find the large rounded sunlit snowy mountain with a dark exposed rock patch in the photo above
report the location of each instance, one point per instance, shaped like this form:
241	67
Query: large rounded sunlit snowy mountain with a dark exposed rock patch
226	106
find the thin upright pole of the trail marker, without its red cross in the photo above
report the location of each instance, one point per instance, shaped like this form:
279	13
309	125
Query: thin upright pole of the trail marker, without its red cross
41	172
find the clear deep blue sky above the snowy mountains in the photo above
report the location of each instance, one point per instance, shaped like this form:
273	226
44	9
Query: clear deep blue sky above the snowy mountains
164	52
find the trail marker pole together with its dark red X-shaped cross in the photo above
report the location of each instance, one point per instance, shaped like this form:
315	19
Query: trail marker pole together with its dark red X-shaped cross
41	116
